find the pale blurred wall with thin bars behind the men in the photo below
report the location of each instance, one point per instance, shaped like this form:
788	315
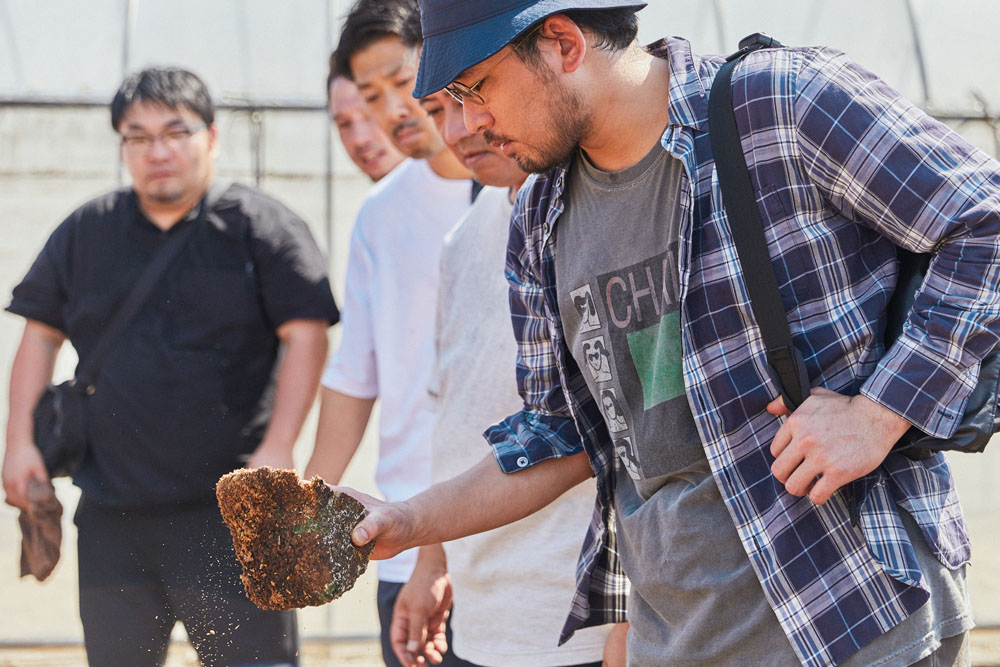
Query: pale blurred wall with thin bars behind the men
265	62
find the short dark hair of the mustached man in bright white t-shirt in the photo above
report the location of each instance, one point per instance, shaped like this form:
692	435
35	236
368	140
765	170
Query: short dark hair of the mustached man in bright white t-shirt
367	22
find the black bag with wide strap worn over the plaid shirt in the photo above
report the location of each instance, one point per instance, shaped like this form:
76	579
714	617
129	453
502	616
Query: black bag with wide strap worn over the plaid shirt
785	363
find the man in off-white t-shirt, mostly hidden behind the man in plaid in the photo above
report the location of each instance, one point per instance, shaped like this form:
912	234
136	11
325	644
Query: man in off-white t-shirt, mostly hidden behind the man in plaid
499	616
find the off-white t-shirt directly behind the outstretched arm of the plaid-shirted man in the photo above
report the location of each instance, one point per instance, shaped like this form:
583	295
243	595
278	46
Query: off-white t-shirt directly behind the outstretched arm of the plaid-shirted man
512	586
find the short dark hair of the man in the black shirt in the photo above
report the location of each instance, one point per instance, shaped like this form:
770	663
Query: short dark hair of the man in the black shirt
170	87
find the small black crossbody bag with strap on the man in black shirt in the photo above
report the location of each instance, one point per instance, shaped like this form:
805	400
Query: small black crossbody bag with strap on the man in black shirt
60	416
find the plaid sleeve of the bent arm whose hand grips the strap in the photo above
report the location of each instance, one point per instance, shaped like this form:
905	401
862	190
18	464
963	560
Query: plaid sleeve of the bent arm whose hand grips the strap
880	160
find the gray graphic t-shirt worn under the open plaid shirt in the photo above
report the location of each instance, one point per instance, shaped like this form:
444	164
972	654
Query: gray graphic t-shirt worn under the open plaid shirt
695	597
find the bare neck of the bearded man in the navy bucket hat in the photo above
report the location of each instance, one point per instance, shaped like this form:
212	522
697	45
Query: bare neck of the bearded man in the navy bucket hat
632	100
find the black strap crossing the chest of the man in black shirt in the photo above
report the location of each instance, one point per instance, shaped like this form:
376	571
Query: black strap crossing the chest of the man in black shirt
86	372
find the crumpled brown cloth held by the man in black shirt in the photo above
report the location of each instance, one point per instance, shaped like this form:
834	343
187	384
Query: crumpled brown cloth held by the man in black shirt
41	530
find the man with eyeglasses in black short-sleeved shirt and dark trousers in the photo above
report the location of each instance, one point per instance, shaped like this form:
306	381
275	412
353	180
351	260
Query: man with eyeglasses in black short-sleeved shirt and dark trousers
189	390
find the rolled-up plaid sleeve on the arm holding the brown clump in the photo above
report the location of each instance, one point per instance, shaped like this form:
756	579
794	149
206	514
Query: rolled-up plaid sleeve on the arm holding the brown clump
544	429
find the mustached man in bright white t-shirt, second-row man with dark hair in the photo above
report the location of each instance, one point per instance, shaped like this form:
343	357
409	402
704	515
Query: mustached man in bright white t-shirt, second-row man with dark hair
391	285
